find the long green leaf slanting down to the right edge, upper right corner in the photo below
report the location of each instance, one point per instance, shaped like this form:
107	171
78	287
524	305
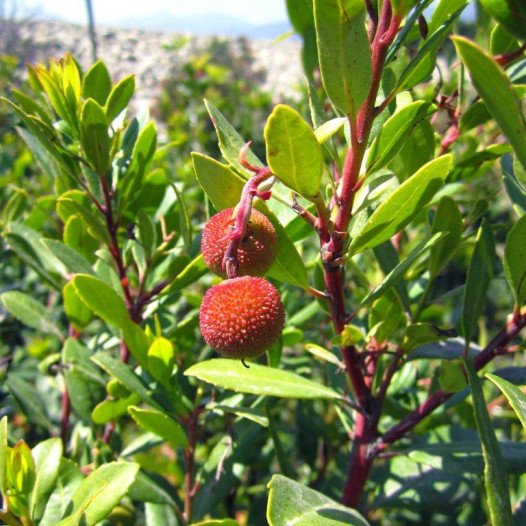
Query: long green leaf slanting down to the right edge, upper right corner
495	89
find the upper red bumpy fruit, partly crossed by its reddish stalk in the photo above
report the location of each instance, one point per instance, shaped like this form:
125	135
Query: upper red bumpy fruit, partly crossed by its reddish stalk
255	253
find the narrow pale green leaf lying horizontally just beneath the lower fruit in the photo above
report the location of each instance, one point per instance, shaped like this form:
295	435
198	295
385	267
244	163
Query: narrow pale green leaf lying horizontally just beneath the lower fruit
259	380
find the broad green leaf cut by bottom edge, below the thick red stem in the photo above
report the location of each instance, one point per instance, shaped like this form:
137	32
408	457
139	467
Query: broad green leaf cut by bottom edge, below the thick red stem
292	503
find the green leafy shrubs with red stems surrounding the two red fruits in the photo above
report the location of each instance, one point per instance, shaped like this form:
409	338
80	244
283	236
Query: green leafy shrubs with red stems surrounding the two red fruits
400	217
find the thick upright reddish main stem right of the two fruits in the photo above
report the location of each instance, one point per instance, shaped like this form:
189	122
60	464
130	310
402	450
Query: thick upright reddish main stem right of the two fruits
333	251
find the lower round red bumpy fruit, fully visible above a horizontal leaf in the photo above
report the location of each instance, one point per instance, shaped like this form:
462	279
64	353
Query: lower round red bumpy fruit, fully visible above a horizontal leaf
241	317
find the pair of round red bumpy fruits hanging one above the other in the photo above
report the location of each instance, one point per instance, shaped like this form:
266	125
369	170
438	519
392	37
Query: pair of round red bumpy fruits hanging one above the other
241	317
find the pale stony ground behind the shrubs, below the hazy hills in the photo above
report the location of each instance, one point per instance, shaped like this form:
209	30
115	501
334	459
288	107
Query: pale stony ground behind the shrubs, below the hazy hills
150	55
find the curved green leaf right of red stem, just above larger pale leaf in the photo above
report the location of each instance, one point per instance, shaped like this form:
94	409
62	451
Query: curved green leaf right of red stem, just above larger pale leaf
395	132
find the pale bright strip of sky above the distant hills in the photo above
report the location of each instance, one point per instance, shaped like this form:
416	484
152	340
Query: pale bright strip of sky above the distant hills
109	11
